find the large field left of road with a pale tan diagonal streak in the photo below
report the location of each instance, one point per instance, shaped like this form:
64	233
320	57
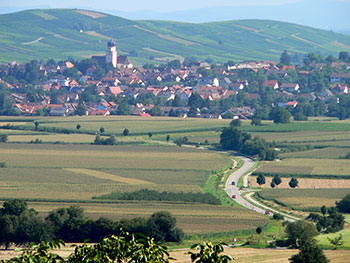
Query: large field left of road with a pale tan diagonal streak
54	171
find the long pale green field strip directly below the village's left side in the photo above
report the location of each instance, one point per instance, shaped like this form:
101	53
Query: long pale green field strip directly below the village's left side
116	124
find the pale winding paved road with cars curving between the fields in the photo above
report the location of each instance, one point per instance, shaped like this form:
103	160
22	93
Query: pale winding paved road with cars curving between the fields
232	189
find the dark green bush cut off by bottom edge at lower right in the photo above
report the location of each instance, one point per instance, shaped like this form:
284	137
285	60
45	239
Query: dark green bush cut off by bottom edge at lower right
310	252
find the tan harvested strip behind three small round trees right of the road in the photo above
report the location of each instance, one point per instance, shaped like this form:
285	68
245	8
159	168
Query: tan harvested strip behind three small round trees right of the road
304	183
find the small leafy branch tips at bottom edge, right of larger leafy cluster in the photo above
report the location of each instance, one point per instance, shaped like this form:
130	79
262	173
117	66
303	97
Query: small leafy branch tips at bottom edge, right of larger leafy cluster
209	253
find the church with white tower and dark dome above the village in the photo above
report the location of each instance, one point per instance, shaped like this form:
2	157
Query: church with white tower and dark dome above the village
113	58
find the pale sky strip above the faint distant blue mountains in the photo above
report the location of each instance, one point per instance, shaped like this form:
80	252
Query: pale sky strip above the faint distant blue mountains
137	5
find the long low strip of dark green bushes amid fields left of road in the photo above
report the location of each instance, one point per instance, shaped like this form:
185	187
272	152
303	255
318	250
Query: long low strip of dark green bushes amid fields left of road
152	195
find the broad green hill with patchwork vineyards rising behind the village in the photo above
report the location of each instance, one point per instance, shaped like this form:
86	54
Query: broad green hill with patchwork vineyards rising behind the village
62	33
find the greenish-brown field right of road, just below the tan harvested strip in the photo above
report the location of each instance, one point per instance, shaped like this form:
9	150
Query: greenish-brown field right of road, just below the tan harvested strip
305	198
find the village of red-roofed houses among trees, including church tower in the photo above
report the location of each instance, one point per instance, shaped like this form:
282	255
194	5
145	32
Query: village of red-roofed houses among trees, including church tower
111	85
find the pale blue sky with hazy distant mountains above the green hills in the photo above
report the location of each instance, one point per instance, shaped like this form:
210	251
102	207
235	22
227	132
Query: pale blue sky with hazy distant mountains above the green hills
326	14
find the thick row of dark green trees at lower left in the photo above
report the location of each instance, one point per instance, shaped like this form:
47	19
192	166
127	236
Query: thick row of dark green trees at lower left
21	225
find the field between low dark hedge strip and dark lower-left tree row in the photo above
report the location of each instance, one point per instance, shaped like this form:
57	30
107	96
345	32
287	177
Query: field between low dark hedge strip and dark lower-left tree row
193	218
